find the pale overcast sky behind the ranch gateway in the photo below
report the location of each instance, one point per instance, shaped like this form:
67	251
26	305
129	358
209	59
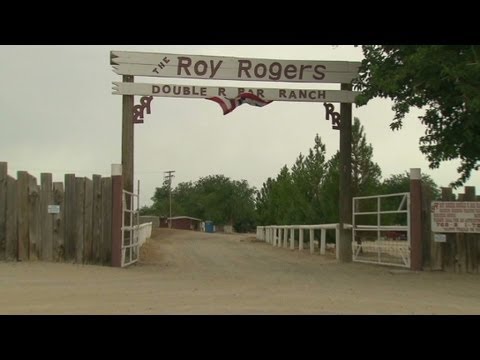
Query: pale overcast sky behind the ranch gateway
58	115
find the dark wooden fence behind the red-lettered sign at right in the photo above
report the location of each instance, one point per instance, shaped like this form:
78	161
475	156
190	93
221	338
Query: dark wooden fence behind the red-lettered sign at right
461	252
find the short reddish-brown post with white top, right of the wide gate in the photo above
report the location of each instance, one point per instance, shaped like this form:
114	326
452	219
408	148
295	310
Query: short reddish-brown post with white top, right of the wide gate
416	219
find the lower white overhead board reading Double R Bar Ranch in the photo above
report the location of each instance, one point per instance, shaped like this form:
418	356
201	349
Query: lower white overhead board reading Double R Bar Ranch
195	91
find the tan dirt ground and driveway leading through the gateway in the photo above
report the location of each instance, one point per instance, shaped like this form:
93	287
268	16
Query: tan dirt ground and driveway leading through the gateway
184	272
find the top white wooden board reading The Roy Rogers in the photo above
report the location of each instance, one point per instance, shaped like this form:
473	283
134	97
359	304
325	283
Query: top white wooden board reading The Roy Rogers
230	68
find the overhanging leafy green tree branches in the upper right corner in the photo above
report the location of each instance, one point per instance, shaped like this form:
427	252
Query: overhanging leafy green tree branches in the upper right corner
442	79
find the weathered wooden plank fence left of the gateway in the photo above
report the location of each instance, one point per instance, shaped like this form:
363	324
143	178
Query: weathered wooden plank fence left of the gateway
81	232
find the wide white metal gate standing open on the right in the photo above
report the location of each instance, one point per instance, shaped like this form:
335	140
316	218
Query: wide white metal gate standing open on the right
381	229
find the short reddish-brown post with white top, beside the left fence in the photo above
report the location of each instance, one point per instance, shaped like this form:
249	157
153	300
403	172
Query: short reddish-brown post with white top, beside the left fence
117	210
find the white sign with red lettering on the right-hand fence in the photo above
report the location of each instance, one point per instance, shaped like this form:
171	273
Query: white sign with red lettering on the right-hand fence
456	216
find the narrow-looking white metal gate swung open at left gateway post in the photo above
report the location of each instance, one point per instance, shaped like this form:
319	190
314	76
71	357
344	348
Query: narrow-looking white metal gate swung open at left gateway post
130	227
